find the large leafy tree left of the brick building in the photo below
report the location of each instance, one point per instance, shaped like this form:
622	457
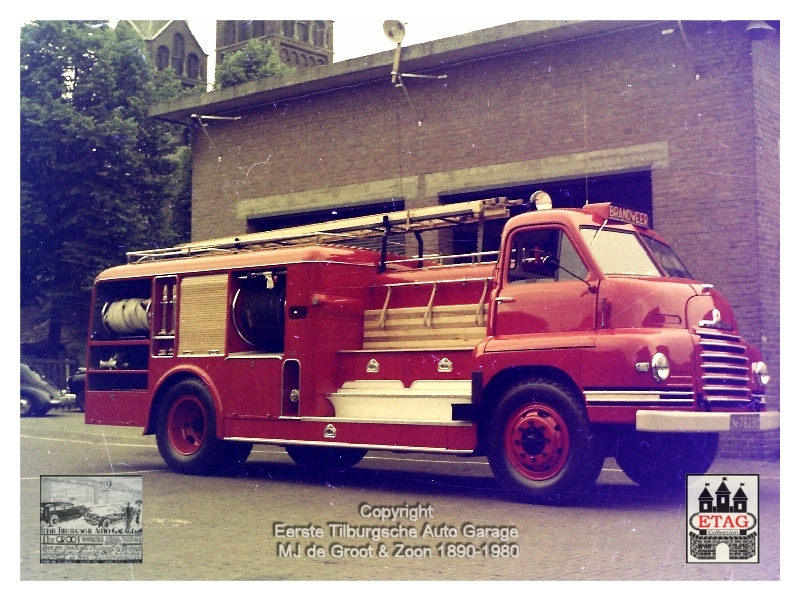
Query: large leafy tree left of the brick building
97	175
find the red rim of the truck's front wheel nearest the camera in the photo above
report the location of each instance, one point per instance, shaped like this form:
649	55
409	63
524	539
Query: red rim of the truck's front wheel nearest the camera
537	441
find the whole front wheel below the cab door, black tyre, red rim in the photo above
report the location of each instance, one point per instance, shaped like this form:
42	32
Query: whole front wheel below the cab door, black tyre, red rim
540	443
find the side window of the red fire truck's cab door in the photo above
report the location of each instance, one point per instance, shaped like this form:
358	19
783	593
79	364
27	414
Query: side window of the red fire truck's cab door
537	254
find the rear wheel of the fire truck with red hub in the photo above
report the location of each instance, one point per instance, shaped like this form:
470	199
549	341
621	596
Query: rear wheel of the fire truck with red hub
187	433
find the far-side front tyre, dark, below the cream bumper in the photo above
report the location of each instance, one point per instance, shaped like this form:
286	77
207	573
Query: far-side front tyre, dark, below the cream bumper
662	460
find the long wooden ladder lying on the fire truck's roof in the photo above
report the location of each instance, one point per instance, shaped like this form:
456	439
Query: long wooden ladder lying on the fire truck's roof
404	221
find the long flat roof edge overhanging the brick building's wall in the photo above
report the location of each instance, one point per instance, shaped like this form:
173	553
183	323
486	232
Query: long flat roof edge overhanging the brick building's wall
421	58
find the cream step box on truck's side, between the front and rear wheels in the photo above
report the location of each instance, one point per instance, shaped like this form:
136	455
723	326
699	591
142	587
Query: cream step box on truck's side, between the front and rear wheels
425	401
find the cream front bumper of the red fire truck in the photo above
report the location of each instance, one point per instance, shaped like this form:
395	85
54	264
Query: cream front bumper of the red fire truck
679	421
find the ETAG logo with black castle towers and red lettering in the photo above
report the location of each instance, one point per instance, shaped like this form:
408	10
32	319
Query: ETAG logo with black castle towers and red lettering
722	518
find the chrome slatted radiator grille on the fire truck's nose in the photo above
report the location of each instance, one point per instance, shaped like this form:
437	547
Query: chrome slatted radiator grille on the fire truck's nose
725	369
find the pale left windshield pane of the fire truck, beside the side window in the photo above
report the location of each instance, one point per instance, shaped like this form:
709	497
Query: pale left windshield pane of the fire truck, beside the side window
619	252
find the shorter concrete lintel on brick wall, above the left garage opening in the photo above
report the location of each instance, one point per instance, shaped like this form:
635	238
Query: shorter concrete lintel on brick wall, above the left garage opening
319	199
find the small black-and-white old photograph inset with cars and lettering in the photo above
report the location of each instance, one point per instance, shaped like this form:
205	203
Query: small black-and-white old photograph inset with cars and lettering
87	519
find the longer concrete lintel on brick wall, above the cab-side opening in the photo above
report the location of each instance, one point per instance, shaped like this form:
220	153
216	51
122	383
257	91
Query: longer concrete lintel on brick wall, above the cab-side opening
598	162
